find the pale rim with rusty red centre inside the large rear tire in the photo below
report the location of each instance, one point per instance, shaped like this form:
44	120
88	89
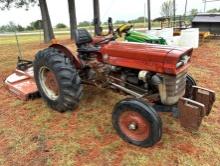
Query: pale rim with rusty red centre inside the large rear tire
49	83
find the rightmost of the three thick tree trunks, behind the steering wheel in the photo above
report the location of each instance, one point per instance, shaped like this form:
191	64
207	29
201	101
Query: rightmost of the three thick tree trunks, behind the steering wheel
97	22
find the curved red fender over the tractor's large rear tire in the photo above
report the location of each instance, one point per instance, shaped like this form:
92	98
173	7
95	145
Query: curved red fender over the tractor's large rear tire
68	53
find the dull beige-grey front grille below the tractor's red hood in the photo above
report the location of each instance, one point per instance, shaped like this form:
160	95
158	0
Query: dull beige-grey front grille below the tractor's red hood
172	88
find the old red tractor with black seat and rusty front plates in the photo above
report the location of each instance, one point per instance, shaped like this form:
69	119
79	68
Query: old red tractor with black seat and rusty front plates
154	75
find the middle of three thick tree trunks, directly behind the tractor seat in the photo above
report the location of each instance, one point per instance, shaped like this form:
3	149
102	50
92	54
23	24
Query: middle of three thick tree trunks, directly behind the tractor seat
73	20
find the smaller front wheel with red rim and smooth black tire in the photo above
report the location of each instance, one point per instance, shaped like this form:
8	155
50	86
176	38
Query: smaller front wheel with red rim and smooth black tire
137	123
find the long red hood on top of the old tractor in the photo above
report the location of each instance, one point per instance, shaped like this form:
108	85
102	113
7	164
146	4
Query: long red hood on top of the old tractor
150	57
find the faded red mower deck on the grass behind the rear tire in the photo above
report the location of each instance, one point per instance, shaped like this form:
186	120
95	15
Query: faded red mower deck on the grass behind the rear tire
22	84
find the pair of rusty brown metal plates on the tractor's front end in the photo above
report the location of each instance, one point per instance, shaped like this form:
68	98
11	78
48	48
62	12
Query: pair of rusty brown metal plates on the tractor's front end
192	111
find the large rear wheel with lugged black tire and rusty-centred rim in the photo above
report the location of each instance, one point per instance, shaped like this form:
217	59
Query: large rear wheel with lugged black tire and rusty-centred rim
57	80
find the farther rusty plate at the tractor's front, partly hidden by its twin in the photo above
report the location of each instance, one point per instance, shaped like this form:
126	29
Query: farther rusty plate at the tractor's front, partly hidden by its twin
204	96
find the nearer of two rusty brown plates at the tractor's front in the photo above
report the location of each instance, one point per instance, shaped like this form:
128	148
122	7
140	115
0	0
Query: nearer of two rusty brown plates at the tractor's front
191	113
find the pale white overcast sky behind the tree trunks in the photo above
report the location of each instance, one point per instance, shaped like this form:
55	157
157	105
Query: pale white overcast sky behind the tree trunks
117	9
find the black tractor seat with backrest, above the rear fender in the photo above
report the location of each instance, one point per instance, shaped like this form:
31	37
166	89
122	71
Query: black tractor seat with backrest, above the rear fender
83	41
